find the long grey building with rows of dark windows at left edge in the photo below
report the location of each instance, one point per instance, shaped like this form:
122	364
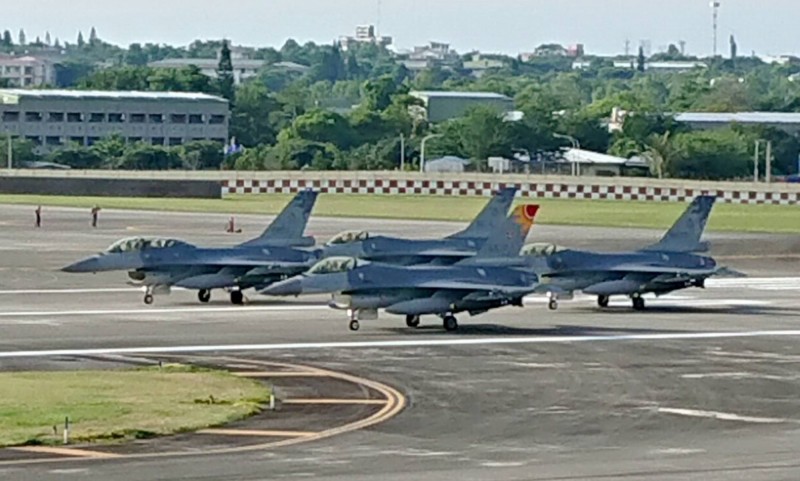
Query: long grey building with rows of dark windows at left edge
52	118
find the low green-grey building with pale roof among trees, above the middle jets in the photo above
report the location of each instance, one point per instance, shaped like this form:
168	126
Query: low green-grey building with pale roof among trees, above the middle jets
442	106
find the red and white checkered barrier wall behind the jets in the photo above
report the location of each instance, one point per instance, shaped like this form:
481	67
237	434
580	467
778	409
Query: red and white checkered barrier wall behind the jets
542	189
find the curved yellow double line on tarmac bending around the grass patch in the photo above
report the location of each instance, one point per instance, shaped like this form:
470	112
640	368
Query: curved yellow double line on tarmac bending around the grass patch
395	402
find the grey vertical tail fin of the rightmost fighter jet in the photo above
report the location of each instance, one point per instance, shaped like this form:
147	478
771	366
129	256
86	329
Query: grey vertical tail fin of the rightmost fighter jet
685	234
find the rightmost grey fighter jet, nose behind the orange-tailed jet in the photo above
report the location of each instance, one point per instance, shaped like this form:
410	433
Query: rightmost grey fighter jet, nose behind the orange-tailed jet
667	266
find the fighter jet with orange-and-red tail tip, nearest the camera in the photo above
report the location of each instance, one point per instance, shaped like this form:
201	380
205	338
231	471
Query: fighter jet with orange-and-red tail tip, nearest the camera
362	287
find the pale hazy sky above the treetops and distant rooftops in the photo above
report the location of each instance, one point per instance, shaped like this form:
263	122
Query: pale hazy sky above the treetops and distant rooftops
767	27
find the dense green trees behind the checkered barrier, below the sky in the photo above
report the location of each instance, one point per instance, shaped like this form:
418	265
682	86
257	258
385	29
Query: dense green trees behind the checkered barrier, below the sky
349	109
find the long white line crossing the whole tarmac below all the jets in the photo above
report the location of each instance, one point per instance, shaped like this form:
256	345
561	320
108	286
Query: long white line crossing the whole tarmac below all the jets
488	341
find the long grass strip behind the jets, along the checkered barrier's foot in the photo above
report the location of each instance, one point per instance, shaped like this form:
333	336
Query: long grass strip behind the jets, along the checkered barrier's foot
726	217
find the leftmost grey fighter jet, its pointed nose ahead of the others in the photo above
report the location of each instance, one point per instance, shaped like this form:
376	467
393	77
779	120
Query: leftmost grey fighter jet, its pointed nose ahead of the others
161	264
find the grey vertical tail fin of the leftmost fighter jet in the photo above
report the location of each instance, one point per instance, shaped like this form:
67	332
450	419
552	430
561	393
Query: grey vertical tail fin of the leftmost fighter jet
288	227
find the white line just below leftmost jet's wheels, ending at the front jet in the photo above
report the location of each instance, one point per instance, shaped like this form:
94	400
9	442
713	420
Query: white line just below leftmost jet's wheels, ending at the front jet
173	310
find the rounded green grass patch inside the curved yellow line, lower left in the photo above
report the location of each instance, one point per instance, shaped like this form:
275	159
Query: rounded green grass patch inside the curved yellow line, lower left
121	404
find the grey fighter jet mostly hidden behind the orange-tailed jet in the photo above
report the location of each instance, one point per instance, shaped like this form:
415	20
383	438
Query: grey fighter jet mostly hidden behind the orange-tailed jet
447	251
